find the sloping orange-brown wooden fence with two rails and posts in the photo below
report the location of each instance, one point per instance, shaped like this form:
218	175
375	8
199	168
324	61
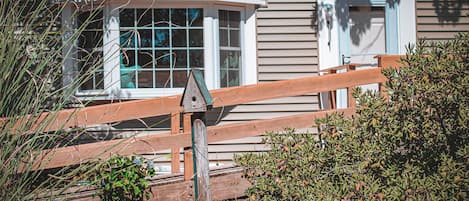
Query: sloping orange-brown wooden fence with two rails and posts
180	136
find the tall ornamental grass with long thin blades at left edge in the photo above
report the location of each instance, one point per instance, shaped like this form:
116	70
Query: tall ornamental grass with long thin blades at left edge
31	52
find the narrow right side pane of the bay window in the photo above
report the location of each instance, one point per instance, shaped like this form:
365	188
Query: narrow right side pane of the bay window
230	48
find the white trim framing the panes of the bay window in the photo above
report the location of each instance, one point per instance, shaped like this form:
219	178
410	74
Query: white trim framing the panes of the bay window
111	50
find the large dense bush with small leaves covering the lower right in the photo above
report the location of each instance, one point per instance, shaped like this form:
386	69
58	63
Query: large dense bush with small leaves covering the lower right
412	146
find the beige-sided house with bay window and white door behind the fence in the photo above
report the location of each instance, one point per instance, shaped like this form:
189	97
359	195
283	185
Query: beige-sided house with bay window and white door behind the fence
148	47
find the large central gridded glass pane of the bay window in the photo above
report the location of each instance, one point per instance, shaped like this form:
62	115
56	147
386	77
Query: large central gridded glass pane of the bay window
159	47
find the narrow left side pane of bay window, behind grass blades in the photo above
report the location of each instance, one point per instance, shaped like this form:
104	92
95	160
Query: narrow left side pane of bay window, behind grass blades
90	51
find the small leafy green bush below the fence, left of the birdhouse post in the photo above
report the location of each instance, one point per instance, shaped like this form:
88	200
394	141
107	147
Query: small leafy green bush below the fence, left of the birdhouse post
123	178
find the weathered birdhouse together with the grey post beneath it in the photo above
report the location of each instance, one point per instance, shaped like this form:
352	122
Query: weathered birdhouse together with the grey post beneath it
197	99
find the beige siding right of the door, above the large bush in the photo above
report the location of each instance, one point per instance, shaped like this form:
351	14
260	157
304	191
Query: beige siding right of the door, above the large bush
442	20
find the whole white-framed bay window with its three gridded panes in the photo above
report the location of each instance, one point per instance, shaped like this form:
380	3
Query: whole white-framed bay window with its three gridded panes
149	51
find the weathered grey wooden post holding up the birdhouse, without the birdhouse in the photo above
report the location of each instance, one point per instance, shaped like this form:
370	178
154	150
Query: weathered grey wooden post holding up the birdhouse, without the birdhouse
200	154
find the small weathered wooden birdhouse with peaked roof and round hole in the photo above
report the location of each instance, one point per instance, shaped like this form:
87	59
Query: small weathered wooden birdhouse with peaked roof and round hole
196	97
